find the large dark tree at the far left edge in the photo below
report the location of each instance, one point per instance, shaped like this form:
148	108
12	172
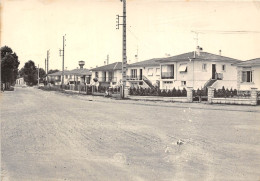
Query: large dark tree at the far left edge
9	65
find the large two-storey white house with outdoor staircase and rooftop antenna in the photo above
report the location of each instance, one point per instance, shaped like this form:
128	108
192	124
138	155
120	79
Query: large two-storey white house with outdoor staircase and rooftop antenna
198	69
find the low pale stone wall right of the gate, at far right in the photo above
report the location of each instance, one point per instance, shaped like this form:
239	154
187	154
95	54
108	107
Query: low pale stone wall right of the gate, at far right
241	101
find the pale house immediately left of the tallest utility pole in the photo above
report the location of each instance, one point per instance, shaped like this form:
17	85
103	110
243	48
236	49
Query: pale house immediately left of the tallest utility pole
108	75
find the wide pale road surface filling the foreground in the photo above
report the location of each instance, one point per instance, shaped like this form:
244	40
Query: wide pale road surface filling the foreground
54	137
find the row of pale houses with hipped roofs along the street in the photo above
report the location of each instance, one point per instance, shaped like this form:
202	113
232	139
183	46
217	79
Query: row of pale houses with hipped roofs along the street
197	69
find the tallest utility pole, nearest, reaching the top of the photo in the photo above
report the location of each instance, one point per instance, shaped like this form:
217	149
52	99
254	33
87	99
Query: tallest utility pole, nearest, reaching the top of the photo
124	58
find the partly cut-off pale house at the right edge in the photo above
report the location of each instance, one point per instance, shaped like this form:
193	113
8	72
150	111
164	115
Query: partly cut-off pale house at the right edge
248	74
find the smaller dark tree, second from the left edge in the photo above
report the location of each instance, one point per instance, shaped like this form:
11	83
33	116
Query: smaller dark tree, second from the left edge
29	73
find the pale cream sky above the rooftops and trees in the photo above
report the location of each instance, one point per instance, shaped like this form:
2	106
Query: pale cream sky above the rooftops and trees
155	28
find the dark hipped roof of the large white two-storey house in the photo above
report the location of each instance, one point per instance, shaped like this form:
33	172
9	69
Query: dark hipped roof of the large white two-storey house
203	56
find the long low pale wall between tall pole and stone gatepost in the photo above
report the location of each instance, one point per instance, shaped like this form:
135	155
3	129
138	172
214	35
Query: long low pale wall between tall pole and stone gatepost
158	98
